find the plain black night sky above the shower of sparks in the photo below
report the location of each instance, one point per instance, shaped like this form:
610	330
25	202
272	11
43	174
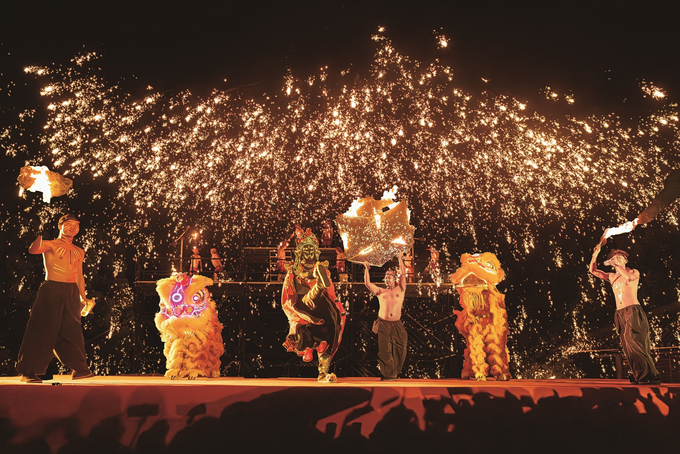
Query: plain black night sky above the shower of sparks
595	49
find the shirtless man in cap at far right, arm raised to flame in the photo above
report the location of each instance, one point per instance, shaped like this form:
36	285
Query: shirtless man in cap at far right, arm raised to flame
630	320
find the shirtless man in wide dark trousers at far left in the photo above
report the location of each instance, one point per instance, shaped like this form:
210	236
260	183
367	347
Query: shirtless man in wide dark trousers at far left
54	325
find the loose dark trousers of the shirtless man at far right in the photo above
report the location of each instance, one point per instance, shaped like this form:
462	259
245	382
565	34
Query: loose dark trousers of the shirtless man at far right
633	328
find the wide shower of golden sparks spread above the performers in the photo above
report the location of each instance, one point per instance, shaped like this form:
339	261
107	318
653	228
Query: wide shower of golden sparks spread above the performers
481	172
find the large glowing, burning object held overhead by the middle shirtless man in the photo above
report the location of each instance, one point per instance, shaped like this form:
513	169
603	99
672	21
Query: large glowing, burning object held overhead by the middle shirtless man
376	230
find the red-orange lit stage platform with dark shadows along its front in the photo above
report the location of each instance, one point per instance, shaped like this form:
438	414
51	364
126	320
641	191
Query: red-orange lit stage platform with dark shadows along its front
145	414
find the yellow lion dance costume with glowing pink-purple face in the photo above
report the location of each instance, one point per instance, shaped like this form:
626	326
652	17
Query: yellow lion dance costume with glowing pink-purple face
189	327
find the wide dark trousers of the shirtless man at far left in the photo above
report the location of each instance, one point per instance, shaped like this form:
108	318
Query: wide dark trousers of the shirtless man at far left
54	328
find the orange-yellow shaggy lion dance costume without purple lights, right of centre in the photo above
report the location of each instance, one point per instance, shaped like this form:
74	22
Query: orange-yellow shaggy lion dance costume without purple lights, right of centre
483	321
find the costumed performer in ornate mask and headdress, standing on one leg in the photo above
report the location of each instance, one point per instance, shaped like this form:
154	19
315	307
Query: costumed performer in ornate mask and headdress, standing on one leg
316	318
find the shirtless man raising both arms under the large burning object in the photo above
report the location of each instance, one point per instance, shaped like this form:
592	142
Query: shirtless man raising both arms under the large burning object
392	337
